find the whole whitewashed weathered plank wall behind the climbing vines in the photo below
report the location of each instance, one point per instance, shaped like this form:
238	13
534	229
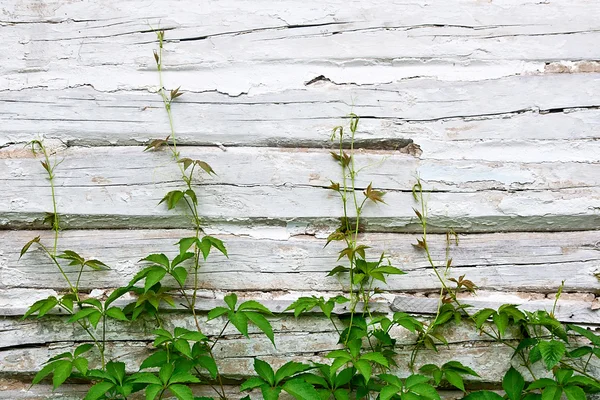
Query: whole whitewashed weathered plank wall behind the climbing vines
495	104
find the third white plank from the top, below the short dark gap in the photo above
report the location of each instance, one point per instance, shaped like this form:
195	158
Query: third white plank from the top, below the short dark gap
91	195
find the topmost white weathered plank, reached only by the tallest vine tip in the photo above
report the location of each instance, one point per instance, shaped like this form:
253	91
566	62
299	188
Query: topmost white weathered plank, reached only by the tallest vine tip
109	50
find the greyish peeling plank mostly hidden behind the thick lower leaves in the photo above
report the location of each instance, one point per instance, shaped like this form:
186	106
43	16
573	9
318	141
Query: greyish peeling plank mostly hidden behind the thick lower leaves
236	353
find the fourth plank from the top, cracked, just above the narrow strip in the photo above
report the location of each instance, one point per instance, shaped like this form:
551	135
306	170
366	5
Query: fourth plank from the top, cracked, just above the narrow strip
508	261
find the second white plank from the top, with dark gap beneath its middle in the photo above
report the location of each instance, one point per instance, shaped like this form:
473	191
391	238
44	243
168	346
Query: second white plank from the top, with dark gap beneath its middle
415	109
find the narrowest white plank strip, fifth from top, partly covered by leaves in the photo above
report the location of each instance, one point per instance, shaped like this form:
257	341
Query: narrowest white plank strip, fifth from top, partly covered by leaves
580	308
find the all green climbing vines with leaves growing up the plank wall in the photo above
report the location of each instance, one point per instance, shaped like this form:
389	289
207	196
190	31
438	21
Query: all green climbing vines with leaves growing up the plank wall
365	362
